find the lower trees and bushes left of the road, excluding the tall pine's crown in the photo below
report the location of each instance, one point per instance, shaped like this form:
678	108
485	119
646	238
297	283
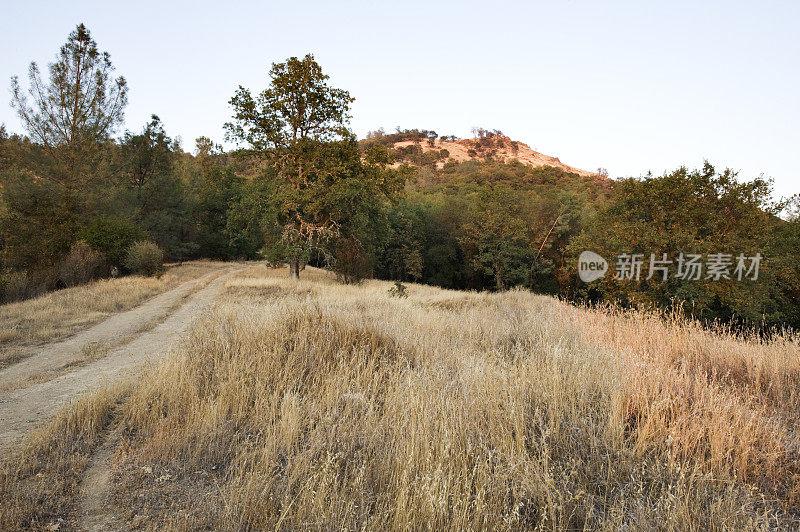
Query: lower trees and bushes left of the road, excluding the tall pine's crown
143	188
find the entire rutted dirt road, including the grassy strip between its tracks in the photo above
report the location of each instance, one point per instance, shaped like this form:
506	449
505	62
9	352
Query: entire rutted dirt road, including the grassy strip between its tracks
133	338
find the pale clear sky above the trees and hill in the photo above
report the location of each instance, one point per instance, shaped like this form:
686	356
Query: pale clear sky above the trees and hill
633	87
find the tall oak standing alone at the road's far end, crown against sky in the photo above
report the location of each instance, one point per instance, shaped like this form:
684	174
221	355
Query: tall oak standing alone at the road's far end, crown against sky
290	122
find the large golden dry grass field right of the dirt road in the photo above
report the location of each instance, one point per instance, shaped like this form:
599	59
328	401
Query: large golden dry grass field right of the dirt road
312	404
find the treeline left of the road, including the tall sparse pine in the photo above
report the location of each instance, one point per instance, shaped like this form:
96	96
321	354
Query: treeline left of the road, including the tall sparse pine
77	204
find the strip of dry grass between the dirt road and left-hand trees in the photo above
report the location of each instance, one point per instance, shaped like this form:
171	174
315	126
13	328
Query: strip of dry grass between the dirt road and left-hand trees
61	313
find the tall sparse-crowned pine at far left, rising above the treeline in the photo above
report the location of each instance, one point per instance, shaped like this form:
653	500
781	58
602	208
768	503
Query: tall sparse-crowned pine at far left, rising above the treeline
69	117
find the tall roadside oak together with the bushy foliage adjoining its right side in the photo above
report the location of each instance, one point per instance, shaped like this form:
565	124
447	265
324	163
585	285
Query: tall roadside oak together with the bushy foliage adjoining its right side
320	188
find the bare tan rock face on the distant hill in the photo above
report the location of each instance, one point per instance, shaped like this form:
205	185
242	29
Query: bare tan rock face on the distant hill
499	147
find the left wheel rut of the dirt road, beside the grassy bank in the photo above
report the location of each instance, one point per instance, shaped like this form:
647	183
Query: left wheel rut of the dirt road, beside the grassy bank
49	360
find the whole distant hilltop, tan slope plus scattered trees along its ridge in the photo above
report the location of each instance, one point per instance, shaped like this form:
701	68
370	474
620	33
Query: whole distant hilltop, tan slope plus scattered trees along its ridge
422	147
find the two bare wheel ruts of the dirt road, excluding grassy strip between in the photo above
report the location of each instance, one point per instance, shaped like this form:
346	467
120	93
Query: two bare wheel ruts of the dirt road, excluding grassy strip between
25	409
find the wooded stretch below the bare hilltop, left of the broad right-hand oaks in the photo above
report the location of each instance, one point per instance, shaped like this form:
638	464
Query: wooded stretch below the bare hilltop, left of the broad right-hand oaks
486	225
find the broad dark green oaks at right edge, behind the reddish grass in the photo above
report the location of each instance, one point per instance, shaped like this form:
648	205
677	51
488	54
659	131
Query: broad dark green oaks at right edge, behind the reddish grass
701	212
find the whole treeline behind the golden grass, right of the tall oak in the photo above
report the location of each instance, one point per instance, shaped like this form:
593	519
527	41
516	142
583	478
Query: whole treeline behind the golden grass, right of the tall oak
489	225
